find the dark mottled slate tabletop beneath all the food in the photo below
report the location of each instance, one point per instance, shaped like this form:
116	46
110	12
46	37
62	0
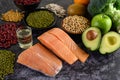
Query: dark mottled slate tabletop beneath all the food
97	67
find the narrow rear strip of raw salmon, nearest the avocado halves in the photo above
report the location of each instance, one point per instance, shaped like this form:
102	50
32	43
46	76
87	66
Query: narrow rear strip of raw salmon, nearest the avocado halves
66	39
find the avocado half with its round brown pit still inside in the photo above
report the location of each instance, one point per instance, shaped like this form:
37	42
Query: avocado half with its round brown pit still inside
91	38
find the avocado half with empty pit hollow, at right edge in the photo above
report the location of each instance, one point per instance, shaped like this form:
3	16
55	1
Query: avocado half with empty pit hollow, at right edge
110	42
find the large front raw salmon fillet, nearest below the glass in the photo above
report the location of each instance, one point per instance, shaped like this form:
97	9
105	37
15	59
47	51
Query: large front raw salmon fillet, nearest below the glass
41	59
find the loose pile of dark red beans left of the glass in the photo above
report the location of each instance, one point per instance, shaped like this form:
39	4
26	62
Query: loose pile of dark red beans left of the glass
8	35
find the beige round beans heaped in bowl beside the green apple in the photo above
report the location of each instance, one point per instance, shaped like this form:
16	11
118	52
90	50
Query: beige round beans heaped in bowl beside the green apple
75	24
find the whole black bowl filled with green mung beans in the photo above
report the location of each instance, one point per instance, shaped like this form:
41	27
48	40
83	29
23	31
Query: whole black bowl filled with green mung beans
40	19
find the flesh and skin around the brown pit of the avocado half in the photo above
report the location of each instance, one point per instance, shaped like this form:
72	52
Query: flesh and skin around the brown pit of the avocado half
92	44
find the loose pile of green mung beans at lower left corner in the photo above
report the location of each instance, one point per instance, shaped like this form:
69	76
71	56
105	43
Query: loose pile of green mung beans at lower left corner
7	59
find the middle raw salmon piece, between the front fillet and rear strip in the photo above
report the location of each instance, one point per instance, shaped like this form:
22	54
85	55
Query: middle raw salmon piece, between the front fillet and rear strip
57	47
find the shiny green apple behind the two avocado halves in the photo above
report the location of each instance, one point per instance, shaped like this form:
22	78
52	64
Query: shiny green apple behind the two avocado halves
102	21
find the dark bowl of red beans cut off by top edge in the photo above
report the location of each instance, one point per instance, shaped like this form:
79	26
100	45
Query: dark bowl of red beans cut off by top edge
27	5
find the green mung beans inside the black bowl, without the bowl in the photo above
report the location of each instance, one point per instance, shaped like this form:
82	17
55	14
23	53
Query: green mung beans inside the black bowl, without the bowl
40	19
